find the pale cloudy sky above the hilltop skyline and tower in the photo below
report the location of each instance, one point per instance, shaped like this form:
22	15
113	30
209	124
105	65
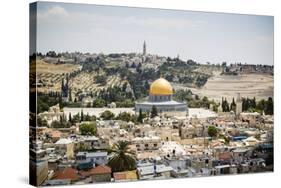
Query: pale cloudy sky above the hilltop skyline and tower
199	36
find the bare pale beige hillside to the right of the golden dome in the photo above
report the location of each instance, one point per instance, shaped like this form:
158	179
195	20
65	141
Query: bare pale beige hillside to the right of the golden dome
260	86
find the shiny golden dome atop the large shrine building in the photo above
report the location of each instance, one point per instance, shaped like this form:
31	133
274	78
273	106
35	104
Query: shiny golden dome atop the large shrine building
161	87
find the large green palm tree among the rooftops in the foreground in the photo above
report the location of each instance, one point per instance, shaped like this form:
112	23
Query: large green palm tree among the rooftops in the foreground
123	159
